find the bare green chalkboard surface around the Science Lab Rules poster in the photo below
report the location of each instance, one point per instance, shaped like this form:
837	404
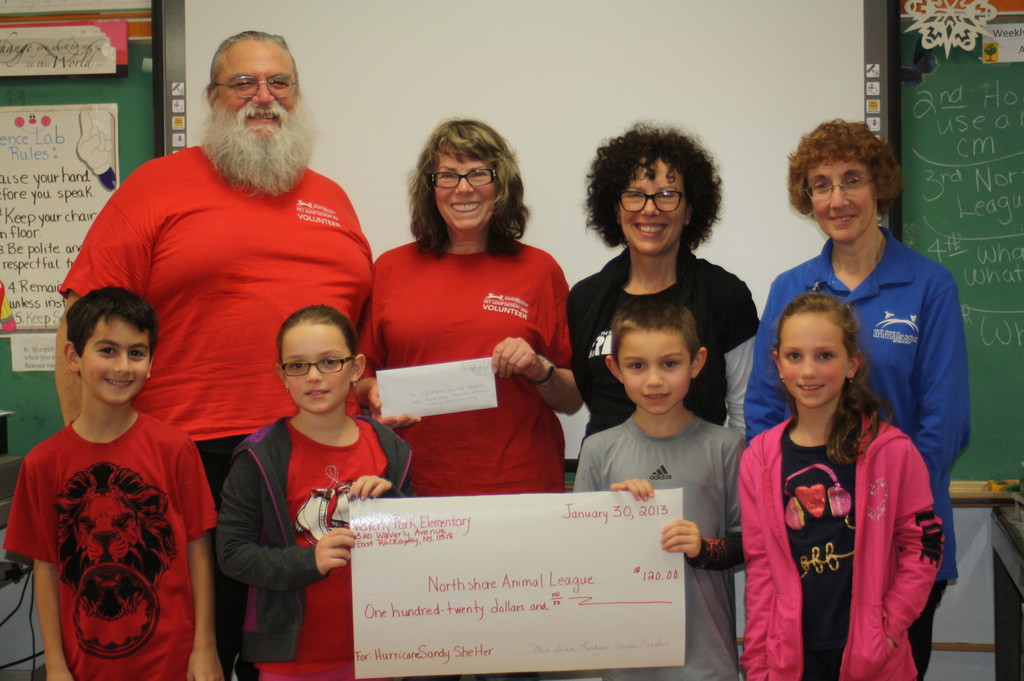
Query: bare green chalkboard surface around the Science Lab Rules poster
31	395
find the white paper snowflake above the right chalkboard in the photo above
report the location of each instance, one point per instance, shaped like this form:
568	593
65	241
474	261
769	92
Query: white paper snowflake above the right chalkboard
950	23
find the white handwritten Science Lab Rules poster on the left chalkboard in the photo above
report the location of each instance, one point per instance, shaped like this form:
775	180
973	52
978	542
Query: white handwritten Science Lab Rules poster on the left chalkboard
58	168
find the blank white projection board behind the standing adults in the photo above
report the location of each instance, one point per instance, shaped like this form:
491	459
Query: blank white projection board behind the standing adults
558	78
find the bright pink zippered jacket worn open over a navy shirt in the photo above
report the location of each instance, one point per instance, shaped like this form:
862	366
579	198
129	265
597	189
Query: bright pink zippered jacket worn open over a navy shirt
898	550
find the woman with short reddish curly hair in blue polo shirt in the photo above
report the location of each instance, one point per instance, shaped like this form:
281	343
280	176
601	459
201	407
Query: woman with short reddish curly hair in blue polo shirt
845	177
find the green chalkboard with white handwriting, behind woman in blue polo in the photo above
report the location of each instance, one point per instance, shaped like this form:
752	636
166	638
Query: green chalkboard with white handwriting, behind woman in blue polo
963	153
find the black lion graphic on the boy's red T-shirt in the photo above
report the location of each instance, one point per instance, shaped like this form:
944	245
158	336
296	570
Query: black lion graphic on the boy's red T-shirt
114	543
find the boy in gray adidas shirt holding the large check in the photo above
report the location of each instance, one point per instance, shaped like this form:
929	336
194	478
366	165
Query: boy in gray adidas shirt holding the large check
656	355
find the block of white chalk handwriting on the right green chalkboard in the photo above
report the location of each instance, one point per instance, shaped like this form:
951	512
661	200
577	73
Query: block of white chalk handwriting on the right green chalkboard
970	193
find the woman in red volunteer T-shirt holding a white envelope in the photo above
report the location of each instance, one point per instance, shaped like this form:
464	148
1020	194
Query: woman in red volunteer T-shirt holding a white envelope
465	289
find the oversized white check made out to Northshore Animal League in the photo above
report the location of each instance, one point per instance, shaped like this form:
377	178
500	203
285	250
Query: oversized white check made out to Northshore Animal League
461	585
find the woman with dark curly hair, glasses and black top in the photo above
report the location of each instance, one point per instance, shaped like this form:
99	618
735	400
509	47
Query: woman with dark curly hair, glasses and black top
657	192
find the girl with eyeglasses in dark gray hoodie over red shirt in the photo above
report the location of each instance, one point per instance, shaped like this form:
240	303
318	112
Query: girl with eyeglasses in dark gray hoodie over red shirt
283	527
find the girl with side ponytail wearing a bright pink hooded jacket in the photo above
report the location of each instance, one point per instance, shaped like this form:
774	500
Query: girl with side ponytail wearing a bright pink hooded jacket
841	543
